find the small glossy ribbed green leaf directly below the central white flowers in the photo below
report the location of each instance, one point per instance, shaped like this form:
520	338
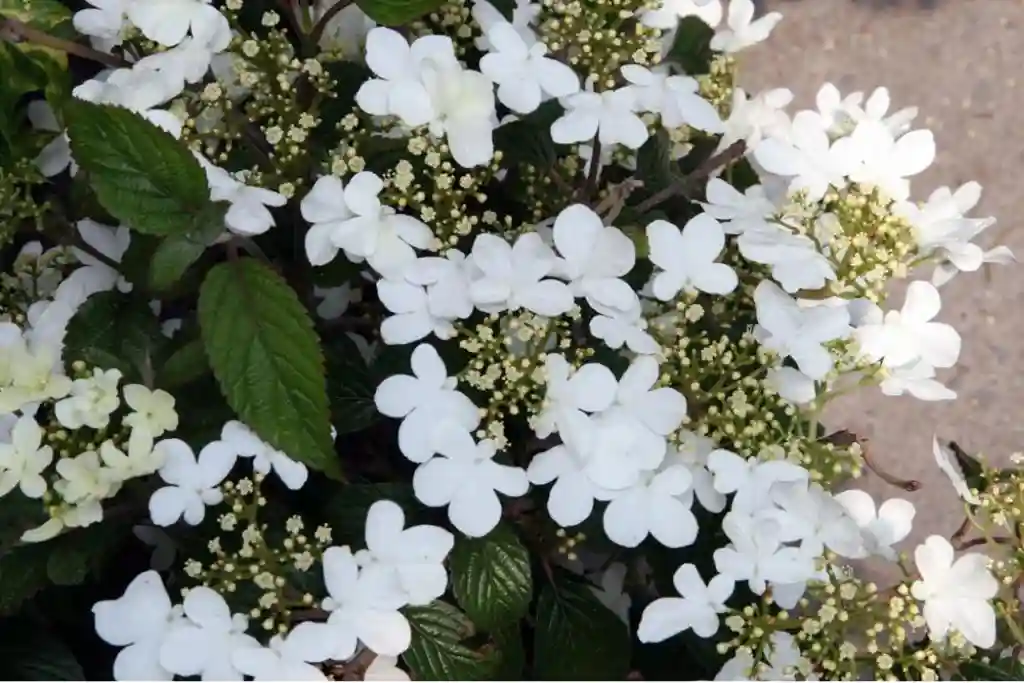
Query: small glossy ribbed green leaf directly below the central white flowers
491	578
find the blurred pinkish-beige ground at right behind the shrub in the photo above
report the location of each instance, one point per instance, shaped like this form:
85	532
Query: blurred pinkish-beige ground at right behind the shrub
960	62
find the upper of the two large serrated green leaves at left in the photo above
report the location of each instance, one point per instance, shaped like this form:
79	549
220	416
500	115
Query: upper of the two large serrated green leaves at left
142	176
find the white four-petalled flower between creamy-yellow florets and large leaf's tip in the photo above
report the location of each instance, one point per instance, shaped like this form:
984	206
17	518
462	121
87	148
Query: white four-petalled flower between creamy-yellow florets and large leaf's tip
193	482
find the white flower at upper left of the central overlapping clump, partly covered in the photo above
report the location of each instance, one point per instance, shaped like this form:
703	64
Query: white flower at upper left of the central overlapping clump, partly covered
570	393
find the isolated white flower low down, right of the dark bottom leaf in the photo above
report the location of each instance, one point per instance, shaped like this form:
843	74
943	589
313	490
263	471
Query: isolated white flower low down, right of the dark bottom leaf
698	609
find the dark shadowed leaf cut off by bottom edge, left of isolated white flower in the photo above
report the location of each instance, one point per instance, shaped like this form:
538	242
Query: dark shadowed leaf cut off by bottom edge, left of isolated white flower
577	638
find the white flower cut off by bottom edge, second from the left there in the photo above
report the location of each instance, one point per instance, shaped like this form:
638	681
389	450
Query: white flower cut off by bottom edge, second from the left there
203	646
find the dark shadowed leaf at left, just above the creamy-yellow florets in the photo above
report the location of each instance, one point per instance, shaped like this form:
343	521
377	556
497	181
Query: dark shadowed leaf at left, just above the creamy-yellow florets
114	330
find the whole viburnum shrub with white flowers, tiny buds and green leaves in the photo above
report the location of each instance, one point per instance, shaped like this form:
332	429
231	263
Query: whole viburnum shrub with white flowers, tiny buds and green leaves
467	341
